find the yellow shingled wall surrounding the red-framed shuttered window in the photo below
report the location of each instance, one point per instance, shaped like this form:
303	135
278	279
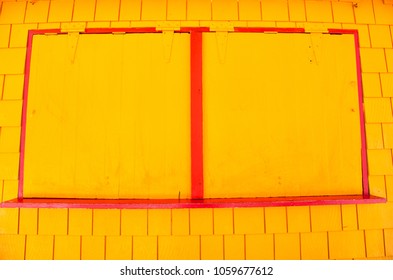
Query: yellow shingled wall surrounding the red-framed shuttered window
316	232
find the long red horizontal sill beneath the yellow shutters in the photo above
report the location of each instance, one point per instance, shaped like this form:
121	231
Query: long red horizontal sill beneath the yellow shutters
189	203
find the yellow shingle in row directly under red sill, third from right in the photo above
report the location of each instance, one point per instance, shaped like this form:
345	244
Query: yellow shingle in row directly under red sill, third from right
326	218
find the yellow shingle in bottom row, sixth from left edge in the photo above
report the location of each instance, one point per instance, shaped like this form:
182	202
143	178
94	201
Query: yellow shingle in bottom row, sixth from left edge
144	248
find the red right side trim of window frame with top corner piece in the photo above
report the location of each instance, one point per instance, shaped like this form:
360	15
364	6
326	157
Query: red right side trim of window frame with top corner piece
366	188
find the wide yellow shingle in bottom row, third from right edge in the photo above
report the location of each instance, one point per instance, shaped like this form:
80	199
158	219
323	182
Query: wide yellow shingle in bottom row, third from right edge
346	245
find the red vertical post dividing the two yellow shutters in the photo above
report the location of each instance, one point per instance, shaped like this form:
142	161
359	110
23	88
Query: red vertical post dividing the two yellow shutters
196	116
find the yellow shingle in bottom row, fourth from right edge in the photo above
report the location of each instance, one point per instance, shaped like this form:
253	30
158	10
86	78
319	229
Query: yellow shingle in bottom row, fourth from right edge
314	246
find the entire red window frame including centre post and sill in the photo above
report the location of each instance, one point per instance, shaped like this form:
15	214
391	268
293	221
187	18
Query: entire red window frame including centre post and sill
197	200
